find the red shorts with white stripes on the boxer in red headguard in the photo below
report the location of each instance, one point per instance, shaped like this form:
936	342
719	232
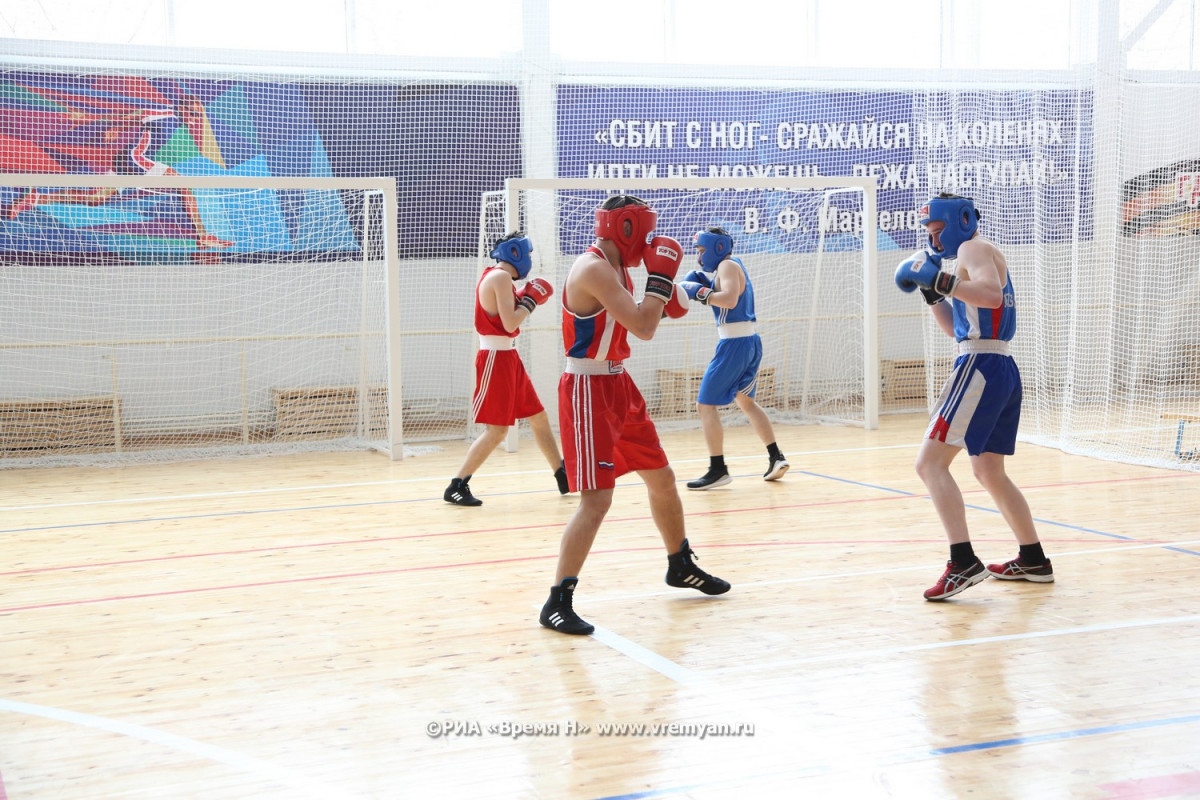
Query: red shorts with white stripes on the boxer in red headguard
607	431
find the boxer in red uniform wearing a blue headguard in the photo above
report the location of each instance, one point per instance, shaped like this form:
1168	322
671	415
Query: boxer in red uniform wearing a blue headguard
503	390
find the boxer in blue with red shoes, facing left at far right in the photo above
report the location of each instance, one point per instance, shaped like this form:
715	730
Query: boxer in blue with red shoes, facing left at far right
981	405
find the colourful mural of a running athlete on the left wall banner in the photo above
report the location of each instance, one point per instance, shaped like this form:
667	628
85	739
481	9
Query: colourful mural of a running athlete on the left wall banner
148	127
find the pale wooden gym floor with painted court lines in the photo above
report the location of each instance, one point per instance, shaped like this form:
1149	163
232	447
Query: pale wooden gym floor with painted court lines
326	627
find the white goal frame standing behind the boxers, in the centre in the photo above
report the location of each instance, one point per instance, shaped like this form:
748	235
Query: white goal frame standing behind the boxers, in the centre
544	233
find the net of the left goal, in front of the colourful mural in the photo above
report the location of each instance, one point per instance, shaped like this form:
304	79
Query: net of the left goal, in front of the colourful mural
155	318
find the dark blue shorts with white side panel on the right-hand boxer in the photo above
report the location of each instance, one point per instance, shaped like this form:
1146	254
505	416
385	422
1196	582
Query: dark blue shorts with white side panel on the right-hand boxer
981	405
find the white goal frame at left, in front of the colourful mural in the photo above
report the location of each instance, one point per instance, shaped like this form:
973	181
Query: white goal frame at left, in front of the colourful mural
386	236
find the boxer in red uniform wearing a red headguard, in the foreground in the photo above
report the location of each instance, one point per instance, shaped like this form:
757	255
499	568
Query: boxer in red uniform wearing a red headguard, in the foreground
603	420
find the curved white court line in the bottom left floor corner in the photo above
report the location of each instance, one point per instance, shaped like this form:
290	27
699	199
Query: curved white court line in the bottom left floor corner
263	771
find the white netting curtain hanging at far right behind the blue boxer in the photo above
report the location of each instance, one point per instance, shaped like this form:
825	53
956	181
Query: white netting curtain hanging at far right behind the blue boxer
1105	269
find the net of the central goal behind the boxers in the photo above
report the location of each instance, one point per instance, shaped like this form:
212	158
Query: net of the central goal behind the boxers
812	267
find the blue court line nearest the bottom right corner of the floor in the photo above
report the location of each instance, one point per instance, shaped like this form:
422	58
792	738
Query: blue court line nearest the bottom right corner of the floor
909	756
